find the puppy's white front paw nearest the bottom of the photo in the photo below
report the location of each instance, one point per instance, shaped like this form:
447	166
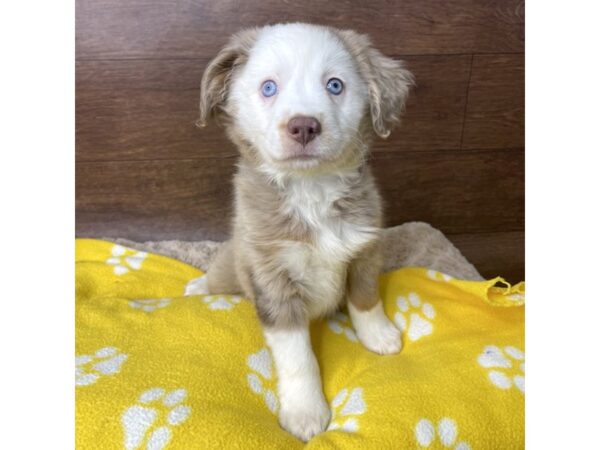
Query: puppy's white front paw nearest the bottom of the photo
304	419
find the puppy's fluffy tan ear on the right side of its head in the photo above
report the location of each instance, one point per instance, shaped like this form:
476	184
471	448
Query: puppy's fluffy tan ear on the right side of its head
388	81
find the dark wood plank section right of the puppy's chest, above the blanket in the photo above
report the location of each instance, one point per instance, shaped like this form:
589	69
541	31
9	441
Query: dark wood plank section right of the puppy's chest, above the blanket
455	191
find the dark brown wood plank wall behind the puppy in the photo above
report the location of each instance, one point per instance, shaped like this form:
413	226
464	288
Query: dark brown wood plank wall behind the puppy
145	172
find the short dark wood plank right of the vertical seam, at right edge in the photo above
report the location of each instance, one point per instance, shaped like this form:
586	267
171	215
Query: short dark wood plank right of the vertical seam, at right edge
495	115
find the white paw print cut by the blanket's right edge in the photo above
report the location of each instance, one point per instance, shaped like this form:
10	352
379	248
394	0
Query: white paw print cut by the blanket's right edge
494	357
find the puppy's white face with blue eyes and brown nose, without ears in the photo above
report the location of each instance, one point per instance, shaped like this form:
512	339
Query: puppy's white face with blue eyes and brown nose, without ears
299	99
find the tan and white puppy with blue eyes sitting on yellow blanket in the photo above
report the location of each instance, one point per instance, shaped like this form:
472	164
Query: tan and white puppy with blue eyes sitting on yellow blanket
303	103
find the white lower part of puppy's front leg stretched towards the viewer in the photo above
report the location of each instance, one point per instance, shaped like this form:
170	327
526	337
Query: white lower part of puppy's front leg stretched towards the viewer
303	409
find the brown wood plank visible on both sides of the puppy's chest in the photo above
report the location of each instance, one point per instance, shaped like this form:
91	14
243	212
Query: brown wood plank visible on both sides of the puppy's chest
455	191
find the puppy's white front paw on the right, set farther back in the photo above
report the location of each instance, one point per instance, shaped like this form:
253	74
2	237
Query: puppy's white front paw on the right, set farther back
375	331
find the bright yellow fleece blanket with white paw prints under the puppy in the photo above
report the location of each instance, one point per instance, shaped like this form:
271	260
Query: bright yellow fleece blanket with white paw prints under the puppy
156	368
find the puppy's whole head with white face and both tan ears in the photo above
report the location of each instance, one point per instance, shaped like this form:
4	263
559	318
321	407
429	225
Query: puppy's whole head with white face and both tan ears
299	97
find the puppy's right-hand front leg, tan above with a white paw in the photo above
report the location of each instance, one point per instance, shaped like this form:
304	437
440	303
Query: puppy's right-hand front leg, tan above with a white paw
374	330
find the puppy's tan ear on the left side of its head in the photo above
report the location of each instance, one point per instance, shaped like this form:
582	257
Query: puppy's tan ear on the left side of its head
216	79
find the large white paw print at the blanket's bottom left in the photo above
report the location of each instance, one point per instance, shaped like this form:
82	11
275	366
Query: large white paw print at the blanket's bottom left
154	419
